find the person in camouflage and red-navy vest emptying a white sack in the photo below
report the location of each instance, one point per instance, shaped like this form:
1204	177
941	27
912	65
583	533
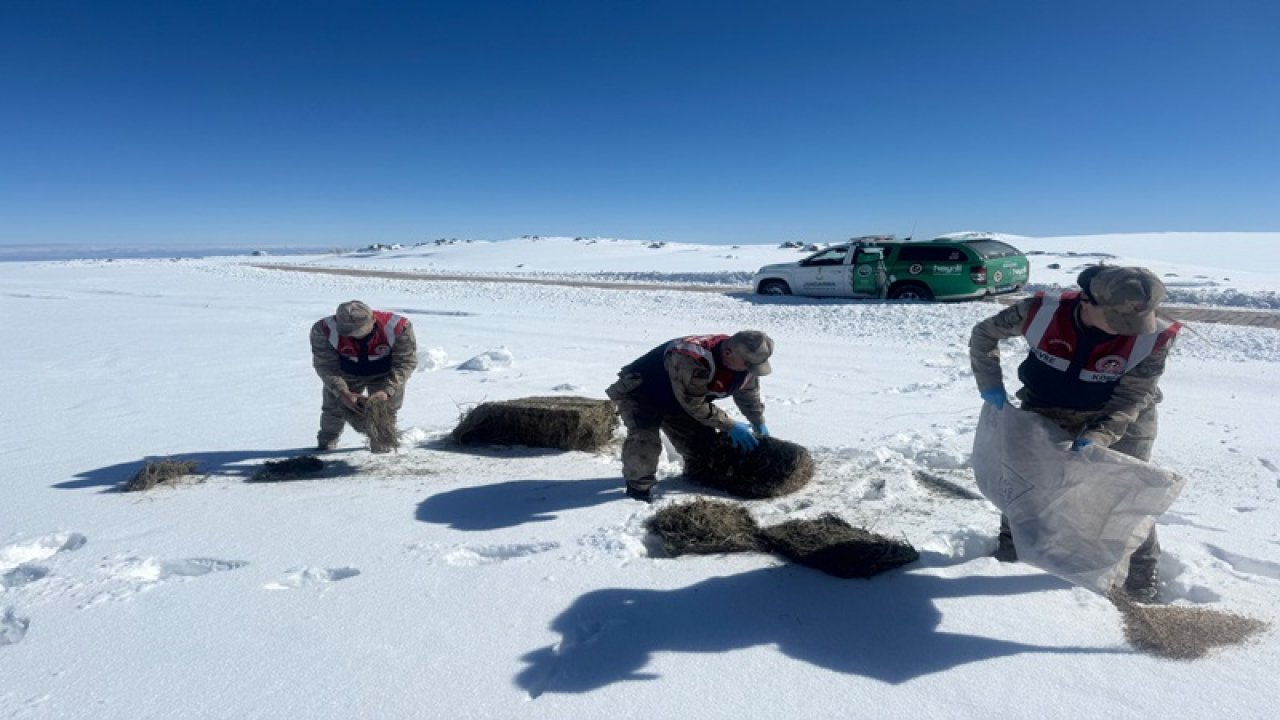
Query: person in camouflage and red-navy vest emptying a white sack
1094	368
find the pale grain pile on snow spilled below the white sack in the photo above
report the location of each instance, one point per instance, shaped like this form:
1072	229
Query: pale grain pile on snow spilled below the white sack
1183	634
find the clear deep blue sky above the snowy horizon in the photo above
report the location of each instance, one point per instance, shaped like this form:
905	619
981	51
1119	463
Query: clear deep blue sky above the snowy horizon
353	122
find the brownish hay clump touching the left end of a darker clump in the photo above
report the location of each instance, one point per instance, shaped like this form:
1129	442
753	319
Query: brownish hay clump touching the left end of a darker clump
706	527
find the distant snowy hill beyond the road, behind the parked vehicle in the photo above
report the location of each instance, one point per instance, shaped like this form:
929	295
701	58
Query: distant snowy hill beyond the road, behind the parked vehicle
1229	270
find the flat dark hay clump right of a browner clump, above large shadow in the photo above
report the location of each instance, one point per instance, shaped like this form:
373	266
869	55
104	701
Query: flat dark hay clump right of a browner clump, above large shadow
836	548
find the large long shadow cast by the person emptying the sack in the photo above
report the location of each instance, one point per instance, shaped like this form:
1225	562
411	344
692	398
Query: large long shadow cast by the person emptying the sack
886	628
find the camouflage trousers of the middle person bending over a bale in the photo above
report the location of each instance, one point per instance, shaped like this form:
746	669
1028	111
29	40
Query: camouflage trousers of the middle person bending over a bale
644	422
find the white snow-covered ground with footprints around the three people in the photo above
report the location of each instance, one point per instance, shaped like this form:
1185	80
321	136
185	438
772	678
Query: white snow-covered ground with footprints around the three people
511	582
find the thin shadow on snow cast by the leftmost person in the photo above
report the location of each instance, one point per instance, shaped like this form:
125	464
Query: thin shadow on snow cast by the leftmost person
244	464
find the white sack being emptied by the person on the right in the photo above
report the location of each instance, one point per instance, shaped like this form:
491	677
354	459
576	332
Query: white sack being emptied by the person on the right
1077	516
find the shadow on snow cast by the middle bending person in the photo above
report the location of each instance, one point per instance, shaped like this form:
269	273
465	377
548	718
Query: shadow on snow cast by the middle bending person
511	504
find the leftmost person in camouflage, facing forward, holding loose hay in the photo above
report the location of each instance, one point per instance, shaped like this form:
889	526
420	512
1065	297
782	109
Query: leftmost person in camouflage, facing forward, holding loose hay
360	350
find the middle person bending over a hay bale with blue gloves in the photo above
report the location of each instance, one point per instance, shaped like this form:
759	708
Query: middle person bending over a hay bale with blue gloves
673	389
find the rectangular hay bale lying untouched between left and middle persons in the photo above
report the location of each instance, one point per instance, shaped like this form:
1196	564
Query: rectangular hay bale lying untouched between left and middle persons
561	422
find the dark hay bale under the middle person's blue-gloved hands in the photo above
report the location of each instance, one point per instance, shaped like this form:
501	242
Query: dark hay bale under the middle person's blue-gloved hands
775	468
